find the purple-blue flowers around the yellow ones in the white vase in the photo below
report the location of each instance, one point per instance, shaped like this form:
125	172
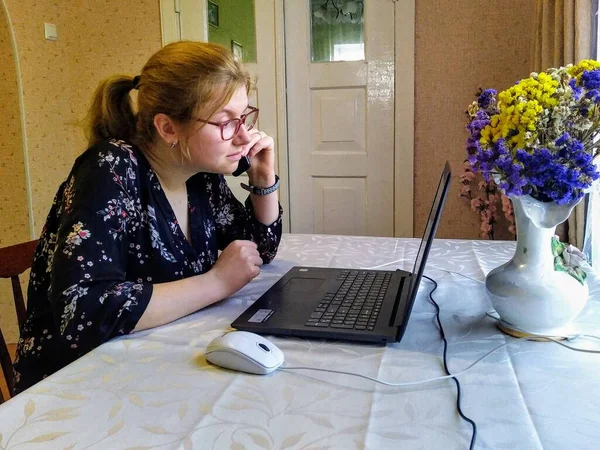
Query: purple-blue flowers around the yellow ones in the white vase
559	171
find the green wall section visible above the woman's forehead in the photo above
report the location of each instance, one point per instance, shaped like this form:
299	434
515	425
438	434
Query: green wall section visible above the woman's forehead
236	22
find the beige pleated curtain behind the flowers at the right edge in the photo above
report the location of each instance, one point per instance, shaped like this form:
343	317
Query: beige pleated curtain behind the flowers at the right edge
563	35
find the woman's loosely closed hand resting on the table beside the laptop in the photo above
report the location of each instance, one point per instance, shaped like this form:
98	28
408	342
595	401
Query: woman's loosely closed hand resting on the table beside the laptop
237	265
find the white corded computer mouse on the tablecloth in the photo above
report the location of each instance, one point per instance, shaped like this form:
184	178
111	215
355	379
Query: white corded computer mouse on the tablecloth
244	352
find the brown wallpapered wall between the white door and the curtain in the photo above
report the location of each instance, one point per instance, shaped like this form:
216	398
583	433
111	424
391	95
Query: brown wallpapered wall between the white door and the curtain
460	46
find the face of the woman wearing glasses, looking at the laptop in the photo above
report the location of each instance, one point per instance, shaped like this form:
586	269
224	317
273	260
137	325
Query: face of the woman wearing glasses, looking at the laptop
208	151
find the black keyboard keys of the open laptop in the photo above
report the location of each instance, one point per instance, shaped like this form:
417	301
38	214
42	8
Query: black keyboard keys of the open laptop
355	305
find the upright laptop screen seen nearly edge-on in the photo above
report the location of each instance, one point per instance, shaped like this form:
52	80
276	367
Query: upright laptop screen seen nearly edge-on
428	236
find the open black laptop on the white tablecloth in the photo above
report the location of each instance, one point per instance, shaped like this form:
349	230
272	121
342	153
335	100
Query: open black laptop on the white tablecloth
344	304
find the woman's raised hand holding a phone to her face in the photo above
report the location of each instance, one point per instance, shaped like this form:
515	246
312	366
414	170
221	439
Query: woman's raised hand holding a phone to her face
262	159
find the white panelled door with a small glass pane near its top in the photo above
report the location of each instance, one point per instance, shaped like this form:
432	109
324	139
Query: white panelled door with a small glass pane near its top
340	119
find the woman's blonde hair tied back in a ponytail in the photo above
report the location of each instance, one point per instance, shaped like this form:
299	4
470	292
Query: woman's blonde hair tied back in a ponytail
180	80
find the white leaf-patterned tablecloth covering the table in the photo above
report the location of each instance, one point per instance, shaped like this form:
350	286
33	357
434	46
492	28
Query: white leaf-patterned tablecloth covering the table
154	389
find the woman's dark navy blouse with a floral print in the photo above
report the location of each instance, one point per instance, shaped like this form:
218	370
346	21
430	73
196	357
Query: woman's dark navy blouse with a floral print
110	235
